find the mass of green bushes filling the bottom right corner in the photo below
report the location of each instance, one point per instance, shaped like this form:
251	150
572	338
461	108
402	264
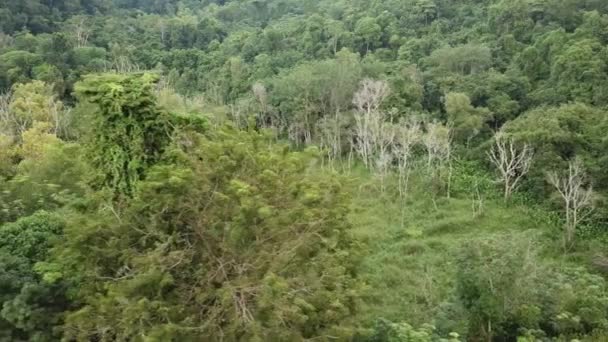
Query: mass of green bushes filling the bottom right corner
508	292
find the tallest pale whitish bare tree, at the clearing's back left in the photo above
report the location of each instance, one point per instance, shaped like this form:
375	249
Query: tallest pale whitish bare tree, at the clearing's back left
370	121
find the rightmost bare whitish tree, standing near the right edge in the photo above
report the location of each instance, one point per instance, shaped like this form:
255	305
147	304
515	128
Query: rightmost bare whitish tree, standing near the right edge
577	198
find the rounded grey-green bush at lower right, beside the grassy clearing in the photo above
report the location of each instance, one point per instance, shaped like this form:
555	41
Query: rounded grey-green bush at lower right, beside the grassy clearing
498	280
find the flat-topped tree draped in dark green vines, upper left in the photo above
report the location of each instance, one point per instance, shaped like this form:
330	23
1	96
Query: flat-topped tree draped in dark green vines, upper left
128	131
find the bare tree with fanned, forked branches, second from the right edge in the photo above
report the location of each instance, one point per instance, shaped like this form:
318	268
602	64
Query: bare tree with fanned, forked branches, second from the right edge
512	163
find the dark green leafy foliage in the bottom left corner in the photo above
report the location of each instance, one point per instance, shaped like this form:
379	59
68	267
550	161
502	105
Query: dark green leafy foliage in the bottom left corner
30	308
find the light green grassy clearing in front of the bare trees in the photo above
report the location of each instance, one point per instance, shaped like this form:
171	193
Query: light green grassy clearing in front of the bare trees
412	248
